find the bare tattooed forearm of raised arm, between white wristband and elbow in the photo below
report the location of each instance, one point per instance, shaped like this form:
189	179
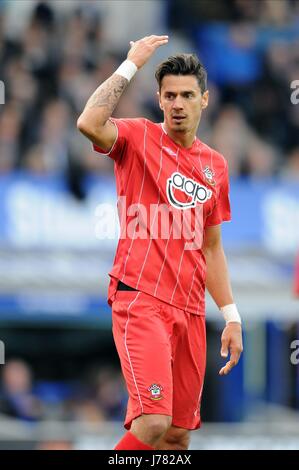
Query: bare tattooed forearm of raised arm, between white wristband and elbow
103	101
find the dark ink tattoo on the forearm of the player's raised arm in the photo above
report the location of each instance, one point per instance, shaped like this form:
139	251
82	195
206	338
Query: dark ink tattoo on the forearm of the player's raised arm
108	94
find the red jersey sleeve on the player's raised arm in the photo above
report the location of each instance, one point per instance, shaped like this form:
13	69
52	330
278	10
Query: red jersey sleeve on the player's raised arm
128	131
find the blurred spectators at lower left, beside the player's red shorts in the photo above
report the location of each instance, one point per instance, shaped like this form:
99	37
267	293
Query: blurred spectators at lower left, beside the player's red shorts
96	396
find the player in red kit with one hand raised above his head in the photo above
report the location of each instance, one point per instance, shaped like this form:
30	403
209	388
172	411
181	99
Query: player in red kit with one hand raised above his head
173	195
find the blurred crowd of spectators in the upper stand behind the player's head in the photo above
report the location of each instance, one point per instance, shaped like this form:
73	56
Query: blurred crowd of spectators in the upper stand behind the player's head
55	63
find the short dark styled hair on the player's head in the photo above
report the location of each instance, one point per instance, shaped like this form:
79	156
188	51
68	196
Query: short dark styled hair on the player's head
183	64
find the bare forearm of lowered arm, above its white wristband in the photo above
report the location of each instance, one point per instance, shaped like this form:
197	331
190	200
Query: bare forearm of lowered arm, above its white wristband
217	280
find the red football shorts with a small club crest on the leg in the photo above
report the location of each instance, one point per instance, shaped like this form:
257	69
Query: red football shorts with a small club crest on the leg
162	351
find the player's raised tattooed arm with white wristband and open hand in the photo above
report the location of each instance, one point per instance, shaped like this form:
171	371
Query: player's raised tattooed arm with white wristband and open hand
94	121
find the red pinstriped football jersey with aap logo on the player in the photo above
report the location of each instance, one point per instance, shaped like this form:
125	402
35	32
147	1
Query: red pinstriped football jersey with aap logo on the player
167	195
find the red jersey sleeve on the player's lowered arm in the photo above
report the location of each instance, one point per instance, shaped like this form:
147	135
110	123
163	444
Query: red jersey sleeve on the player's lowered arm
221	212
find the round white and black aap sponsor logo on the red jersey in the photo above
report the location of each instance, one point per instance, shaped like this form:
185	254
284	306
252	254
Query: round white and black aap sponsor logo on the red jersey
196	192
